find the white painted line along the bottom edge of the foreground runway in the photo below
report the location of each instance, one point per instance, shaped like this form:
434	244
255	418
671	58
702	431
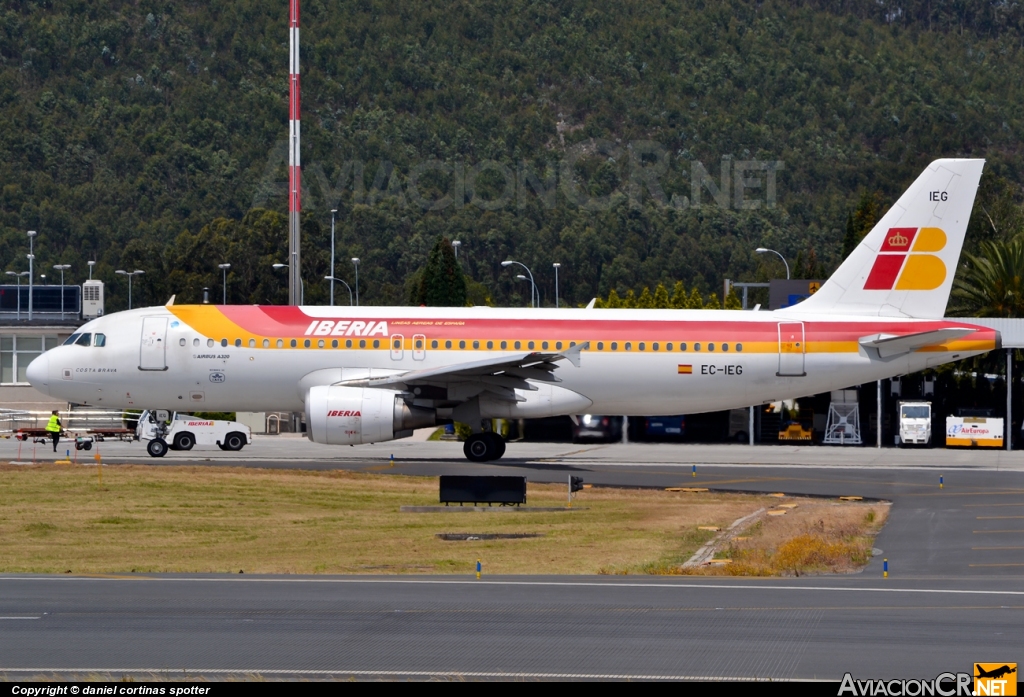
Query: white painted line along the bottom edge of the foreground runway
399	674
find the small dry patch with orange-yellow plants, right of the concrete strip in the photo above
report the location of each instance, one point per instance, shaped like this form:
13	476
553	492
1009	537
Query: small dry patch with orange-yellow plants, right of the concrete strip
818	537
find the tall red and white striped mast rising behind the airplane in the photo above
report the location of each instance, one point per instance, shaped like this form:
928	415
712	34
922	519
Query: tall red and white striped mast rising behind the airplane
294	171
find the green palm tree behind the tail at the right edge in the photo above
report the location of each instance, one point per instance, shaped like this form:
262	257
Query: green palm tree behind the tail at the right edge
992	283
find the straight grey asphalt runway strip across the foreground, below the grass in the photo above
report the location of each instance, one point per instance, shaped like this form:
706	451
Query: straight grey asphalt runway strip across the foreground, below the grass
504	628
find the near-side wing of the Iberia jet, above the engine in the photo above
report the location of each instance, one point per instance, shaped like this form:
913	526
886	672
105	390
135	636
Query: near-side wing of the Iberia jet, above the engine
506	372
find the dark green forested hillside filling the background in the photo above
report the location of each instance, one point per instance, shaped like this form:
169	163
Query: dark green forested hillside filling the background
152	136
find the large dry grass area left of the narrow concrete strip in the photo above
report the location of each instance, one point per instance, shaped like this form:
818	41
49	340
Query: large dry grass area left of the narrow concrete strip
206	519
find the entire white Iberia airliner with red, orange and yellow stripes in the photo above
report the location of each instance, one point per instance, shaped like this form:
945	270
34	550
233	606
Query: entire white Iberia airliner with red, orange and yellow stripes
366	375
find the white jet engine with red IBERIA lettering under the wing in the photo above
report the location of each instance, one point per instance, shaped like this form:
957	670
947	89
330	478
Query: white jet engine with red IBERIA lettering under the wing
353	416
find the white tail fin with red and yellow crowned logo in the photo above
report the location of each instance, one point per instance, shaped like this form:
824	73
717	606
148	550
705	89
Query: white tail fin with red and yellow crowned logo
905	268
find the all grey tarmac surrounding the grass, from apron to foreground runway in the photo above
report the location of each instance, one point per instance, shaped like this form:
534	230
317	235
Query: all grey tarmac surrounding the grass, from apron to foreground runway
954	595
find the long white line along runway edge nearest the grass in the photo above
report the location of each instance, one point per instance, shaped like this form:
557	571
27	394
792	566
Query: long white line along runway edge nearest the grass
429	582
